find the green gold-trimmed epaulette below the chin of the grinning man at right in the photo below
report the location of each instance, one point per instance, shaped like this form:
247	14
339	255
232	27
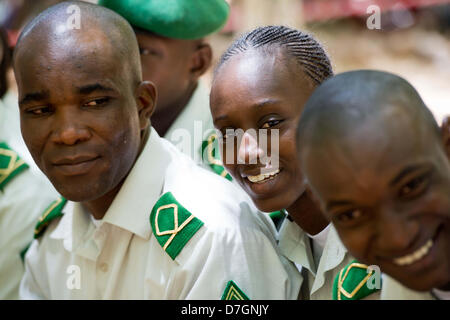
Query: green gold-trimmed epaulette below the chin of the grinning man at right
351	282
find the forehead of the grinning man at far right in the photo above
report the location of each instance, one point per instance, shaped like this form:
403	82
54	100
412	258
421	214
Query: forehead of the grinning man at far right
370	154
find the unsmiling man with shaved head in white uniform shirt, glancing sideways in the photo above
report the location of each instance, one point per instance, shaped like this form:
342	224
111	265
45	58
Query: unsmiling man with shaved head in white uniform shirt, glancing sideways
142	221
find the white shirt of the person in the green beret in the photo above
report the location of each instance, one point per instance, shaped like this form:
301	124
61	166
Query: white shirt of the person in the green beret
195	120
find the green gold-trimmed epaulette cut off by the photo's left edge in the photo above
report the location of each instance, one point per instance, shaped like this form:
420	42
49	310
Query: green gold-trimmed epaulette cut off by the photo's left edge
10	164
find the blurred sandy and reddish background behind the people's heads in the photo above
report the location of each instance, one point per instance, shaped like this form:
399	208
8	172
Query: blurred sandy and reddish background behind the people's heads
413	40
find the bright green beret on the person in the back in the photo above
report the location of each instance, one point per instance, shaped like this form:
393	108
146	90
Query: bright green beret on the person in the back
180	19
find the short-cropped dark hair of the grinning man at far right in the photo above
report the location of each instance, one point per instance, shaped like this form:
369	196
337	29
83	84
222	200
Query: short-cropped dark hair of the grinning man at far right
348	100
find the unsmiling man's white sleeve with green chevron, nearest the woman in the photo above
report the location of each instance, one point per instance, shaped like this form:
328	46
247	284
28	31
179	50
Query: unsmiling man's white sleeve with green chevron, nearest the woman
233	263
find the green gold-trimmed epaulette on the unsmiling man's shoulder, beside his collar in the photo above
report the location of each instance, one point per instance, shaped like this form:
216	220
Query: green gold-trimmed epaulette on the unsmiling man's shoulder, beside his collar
172	224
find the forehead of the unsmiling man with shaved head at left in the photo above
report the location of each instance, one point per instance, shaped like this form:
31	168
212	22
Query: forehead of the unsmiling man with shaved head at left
70	57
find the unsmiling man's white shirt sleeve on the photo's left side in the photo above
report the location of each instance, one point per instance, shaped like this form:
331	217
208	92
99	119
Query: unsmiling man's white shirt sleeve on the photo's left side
29	286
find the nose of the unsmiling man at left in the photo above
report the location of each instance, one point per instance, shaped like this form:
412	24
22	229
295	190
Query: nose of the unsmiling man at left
69	128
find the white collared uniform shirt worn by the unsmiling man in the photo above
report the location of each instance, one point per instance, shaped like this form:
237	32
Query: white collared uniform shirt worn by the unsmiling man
122	259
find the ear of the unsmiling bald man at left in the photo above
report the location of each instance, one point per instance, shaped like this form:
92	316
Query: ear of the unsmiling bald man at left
146	101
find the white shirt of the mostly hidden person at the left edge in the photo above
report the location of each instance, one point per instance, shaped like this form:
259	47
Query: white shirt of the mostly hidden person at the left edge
22	201
